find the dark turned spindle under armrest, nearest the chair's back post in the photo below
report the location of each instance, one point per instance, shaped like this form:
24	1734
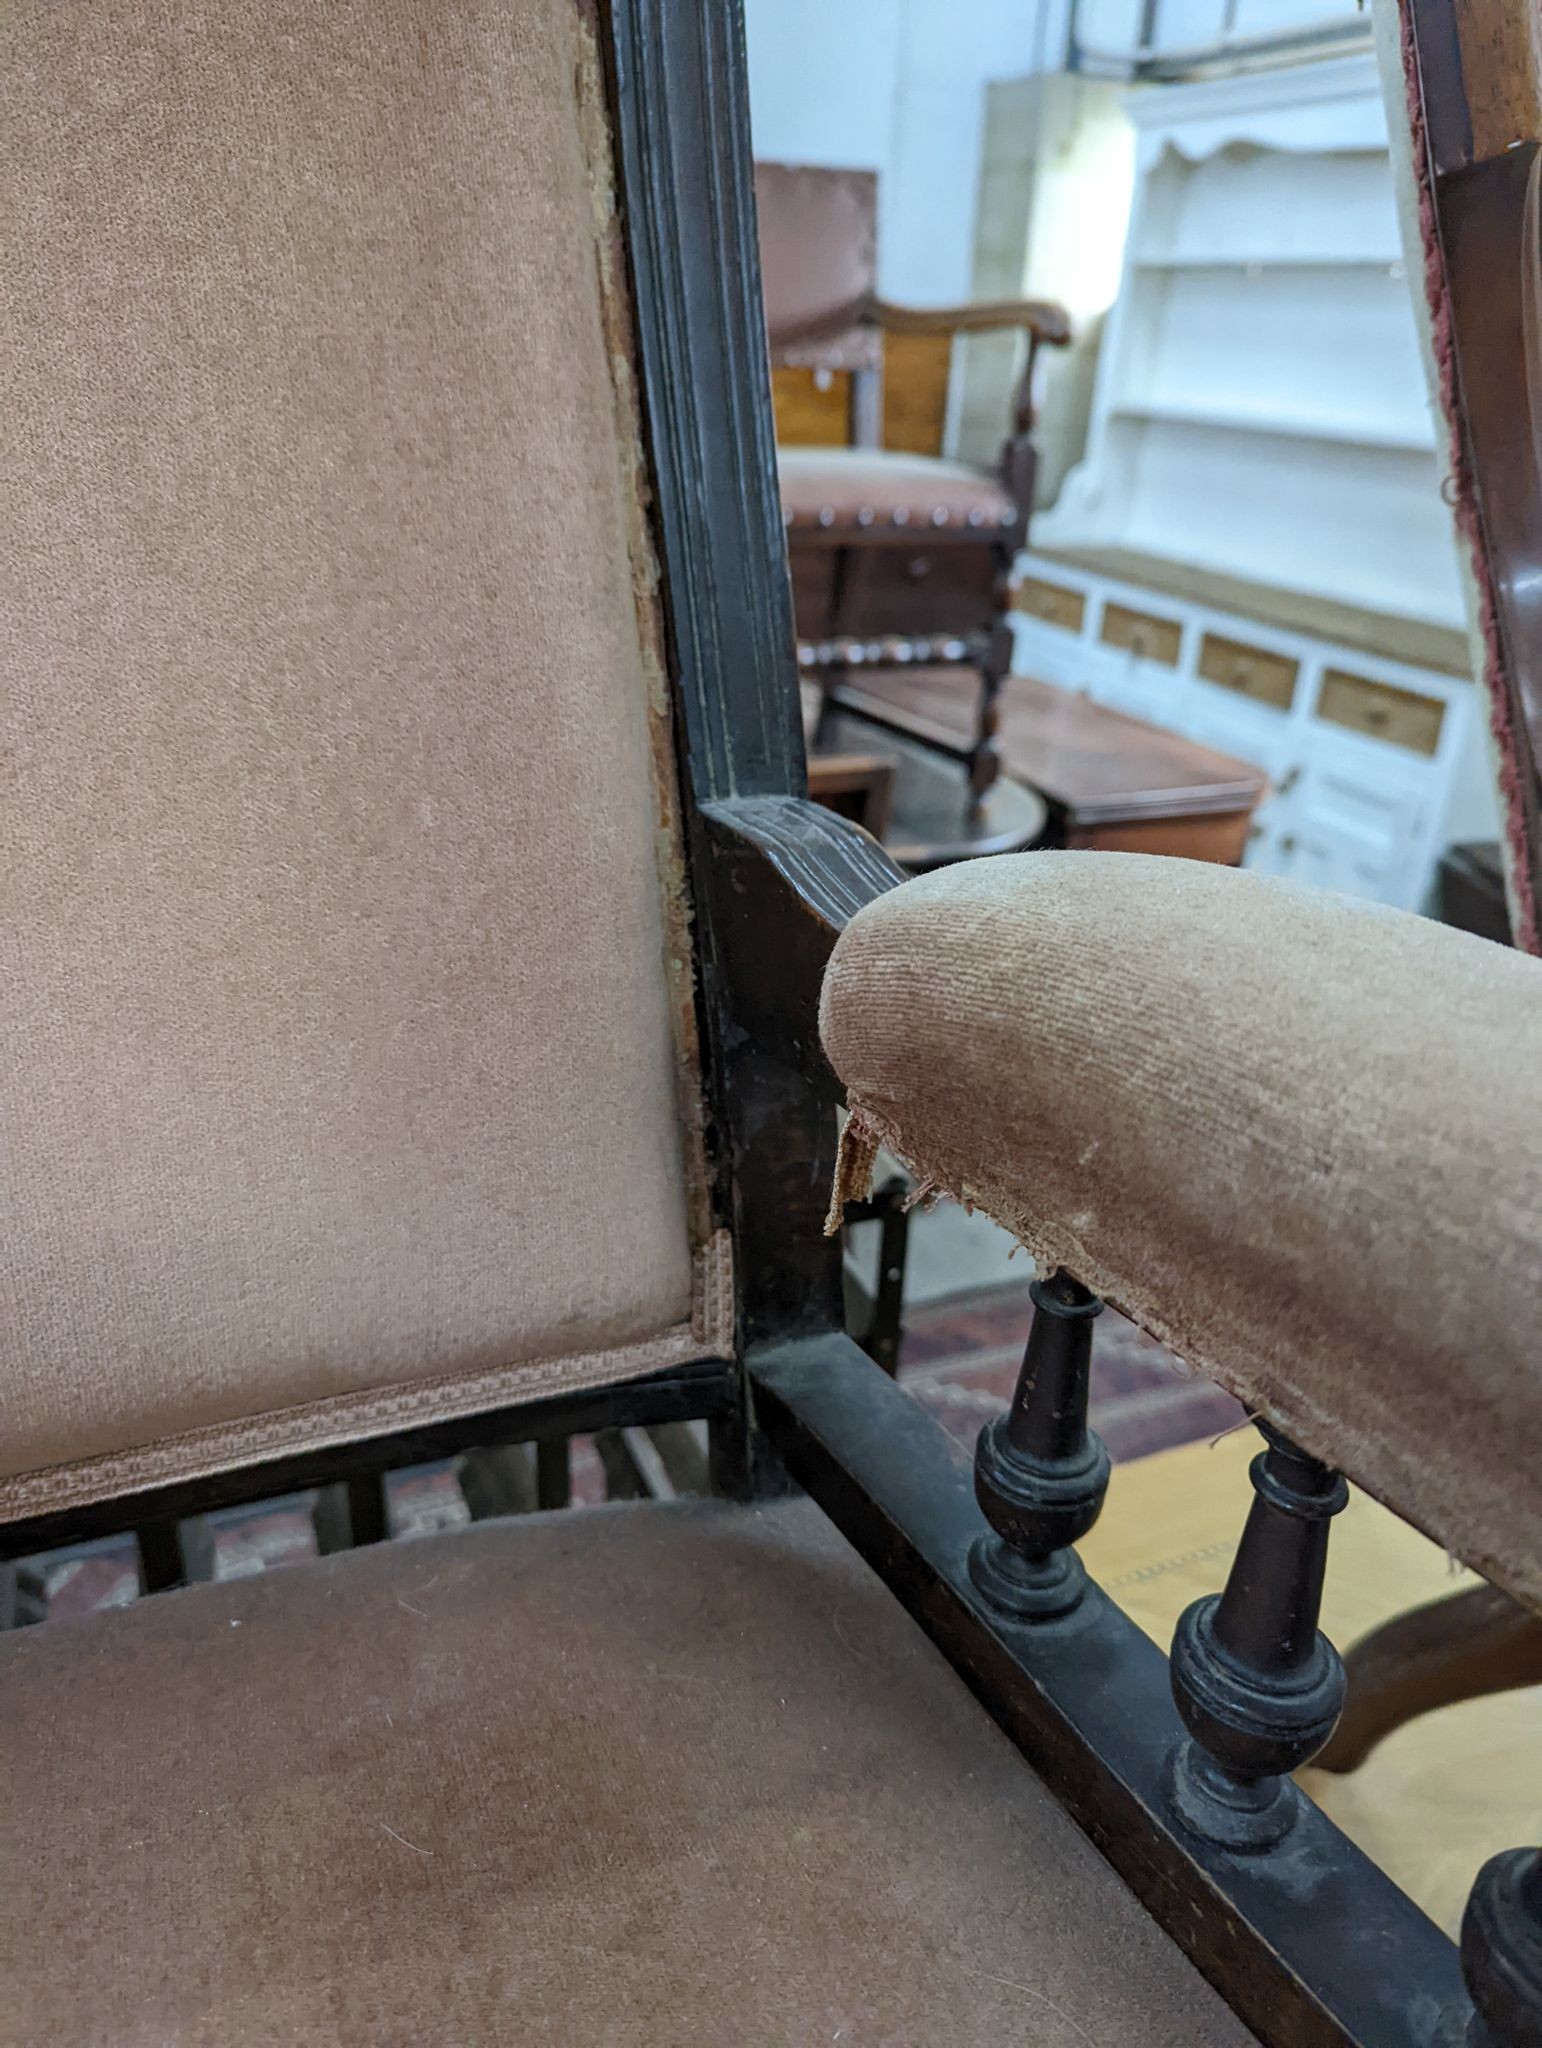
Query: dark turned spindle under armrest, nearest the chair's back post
1039	1471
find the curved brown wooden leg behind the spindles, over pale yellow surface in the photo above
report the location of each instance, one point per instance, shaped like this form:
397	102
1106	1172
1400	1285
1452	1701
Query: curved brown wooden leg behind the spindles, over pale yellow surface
1451	1650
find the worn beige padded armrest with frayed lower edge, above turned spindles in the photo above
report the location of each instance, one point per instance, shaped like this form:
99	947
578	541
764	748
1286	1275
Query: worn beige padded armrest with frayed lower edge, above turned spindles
1293	1136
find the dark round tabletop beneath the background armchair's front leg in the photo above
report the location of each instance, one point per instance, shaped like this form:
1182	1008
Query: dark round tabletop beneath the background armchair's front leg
931	822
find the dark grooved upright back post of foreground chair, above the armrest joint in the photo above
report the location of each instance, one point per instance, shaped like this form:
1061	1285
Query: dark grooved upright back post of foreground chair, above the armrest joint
691	230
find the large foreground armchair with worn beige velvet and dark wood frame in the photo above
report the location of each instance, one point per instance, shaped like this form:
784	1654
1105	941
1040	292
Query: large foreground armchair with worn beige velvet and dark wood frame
415	955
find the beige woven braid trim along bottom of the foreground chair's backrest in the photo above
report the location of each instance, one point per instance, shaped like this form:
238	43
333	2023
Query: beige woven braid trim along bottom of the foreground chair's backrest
384	1410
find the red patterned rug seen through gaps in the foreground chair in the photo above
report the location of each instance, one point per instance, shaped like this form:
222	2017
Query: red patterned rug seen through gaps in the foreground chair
959	1359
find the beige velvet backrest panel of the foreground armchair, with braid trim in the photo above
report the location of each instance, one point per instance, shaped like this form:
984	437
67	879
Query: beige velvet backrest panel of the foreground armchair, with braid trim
339	1039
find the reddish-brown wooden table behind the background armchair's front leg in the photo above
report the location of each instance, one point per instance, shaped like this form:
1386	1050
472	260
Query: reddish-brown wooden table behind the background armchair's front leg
1109	781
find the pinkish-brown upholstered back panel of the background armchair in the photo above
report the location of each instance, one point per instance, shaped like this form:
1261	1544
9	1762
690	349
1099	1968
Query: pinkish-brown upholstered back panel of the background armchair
818	259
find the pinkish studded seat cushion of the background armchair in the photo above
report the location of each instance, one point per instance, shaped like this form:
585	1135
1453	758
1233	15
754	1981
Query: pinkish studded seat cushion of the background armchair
837	490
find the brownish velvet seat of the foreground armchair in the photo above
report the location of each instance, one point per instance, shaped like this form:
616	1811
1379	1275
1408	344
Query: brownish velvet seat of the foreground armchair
624	1777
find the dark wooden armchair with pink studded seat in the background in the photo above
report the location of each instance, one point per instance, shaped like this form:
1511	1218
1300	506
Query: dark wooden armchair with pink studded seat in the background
896	558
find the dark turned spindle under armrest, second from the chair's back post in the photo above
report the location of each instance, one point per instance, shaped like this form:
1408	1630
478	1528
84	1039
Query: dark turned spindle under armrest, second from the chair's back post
1256	1682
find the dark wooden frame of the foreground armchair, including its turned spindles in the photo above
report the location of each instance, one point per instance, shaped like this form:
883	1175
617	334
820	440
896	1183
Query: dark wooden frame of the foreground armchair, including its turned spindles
1176	1775
